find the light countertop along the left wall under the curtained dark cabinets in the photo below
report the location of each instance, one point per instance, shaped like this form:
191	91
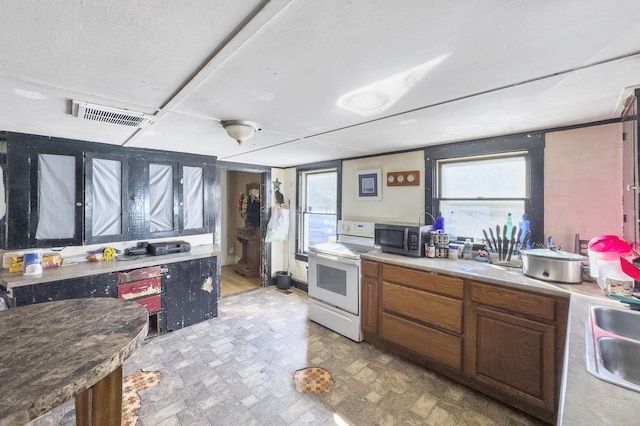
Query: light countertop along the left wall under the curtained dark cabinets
10	280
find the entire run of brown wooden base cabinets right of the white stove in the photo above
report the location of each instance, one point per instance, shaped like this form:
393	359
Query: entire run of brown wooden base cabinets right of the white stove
507	343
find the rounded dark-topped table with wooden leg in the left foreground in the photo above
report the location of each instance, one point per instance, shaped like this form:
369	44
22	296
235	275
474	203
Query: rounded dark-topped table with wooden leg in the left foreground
52	352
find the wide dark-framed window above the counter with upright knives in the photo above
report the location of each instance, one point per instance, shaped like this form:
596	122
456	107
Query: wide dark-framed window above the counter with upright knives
477	184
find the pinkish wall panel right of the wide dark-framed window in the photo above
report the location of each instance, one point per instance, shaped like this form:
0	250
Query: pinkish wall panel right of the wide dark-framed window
583	183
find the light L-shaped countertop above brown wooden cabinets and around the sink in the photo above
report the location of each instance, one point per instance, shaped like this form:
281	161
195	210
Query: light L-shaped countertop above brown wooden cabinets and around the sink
584	399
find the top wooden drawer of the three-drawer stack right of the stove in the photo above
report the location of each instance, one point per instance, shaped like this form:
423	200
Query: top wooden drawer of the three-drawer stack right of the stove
435	283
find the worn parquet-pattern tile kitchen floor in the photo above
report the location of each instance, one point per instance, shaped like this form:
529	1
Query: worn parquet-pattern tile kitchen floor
238	368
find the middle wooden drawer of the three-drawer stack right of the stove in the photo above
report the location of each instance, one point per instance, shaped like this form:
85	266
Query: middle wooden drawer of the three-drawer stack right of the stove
440	311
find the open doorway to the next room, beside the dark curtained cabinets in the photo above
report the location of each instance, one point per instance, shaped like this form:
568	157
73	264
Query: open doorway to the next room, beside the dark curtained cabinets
244	264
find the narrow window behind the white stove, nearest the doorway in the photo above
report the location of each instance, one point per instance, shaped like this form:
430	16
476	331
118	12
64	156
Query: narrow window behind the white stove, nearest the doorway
318	199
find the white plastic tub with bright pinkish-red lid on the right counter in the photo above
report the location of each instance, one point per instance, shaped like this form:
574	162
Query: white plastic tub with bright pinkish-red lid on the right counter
604	258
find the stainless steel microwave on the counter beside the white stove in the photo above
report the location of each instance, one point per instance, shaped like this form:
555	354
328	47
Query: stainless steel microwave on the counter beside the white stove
406	239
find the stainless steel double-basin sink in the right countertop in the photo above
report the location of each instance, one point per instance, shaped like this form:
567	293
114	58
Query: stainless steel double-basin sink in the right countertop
613	345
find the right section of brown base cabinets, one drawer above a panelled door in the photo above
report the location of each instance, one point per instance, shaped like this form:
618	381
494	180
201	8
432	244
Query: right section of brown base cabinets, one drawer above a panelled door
514	346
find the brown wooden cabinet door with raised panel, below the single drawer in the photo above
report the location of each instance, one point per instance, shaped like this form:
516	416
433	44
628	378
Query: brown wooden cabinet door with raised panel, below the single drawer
515	356
